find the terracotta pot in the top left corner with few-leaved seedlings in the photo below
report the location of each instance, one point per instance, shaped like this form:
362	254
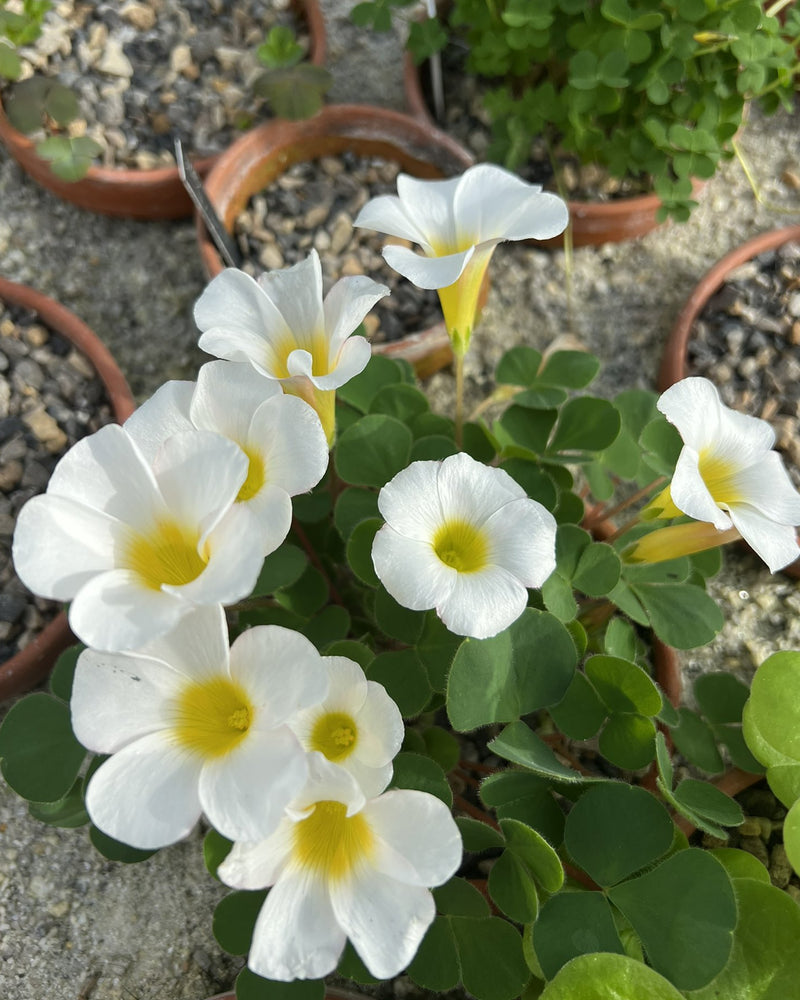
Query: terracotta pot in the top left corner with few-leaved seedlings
130	193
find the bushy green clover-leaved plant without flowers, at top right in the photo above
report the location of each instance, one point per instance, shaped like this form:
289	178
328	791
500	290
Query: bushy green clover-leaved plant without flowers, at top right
649	91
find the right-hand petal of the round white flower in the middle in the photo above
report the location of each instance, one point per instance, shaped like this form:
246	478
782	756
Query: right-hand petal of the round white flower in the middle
523	540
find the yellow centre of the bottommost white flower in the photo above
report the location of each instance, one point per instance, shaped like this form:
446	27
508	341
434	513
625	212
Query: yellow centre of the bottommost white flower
330	842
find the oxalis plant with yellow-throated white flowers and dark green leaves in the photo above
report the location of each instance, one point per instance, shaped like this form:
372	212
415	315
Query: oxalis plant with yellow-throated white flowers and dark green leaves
400	665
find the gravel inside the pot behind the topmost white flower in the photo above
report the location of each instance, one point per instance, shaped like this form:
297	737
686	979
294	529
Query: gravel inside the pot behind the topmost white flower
312	205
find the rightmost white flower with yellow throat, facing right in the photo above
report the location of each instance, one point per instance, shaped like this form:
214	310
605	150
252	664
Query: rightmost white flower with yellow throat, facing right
727	473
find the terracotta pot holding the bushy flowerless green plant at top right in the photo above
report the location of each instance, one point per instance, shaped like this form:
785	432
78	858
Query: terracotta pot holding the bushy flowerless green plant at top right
593	223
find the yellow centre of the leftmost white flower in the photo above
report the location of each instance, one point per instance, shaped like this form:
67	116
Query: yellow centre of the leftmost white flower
167	555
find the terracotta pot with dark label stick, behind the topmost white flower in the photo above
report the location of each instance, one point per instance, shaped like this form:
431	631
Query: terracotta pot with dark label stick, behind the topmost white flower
255	160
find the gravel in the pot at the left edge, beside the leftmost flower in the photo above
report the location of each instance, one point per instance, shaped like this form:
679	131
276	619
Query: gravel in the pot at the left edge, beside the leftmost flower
50	397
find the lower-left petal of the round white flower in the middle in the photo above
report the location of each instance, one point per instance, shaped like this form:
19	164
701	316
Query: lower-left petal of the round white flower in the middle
411	571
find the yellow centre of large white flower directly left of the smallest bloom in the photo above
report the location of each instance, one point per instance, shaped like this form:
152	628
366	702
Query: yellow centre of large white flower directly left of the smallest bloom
212	717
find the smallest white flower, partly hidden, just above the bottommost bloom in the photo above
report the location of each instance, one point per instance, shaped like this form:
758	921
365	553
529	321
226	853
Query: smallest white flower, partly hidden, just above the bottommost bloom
357	726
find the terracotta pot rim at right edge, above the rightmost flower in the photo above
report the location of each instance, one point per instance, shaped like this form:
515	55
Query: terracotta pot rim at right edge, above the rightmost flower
675	360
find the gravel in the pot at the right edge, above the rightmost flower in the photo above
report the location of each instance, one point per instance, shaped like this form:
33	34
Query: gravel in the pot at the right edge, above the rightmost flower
747	341
